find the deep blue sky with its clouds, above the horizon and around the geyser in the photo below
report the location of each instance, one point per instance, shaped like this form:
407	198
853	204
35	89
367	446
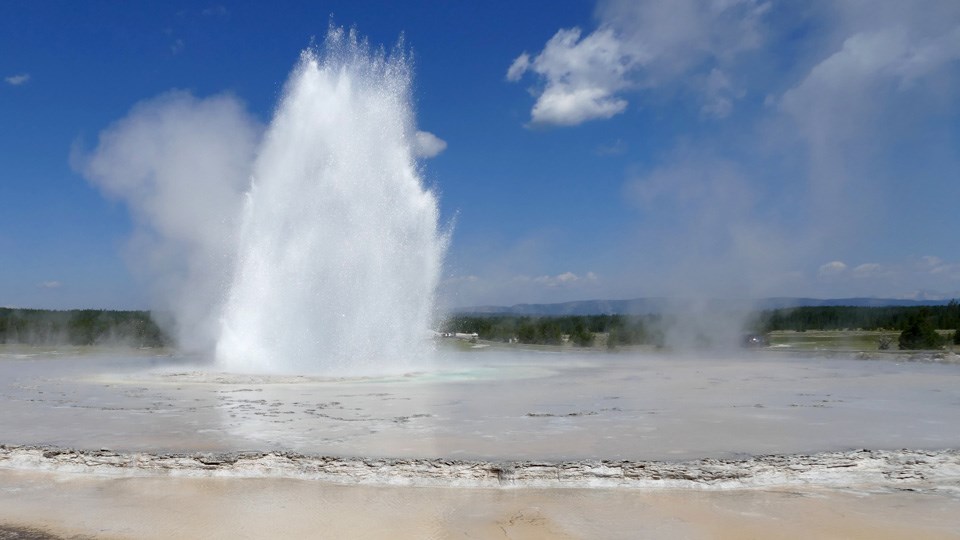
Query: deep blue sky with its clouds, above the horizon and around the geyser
610	149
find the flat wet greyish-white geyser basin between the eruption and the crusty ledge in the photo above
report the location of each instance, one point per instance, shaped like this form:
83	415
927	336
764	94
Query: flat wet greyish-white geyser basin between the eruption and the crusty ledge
490	405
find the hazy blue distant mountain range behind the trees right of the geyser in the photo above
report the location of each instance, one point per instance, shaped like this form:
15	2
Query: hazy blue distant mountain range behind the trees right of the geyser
644	306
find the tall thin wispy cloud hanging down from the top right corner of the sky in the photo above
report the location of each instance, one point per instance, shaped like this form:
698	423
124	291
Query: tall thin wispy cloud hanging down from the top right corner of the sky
884	73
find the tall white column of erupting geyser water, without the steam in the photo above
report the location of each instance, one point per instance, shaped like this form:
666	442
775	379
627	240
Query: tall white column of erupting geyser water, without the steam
339	251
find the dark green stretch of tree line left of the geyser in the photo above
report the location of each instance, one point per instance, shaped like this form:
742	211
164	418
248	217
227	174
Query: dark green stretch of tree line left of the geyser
80	327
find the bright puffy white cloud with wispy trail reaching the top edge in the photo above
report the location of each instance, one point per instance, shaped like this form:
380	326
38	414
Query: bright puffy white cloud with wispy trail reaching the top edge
641	46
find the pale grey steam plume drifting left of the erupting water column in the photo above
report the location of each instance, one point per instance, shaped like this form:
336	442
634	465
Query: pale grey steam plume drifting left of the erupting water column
181	165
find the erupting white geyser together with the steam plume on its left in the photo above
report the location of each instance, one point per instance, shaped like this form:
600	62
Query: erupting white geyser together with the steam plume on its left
311	246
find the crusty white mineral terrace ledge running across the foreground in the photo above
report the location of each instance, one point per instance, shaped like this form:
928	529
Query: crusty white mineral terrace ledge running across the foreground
883	470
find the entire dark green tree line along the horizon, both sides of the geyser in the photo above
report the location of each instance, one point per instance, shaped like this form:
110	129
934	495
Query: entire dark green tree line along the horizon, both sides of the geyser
917	326
